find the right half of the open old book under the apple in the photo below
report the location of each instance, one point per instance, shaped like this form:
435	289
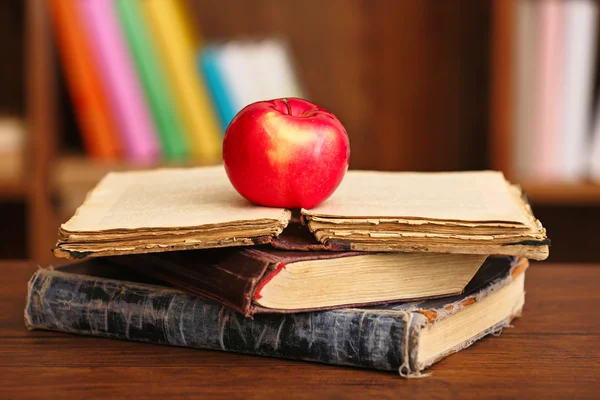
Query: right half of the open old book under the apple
447	212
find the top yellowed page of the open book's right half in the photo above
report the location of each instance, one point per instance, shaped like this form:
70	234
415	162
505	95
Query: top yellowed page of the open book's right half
455	196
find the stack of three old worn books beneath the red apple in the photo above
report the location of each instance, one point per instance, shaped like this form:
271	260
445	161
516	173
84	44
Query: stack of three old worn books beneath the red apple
394	272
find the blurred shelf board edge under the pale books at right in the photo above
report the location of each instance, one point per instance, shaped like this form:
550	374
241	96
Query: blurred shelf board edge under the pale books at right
567	194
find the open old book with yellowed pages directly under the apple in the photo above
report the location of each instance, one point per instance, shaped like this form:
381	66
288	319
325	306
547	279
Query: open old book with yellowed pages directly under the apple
193	208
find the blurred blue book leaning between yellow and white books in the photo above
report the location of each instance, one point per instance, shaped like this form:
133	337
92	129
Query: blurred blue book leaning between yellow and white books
210	67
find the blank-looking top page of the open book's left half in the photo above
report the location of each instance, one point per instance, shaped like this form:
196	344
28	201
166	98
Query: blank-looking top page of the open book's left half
167	199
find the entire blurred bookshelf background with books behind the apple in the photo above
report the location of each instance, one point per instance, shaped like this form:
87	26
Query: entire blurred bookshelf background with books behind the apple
423	85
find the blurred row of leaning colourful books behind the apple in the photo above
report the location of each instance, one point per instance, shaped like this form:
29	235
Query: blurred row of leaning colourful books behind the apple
145	90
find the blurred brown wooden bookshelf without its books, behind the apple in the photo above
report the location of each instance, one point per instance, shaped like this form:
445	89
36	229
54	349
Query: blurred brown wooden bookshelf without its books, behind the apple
413	82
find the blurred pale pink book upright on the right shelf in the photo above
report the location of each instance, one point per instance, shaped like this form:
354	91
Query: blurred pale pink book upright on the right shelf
547	113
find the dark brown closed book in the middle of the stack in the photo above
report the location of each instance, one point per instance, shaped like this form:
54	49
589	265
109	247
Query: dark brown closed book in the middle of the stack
261	279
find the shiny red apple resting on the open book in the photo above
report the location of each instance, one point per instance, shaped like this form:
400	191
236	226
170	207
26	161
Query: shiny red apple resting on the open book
286	153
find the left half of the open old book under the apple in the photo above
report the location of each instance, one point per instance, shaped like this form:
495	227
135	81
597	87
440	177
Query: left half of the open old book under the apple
166	209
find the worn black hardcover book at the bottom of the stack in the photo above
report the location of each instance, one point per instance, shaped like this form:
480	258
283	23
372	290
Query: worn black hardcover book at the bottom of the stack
94	298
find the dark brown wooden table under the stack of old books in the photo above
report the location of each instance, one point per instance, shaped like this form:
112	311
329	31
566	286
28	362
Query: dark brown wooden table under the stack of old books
553	351
